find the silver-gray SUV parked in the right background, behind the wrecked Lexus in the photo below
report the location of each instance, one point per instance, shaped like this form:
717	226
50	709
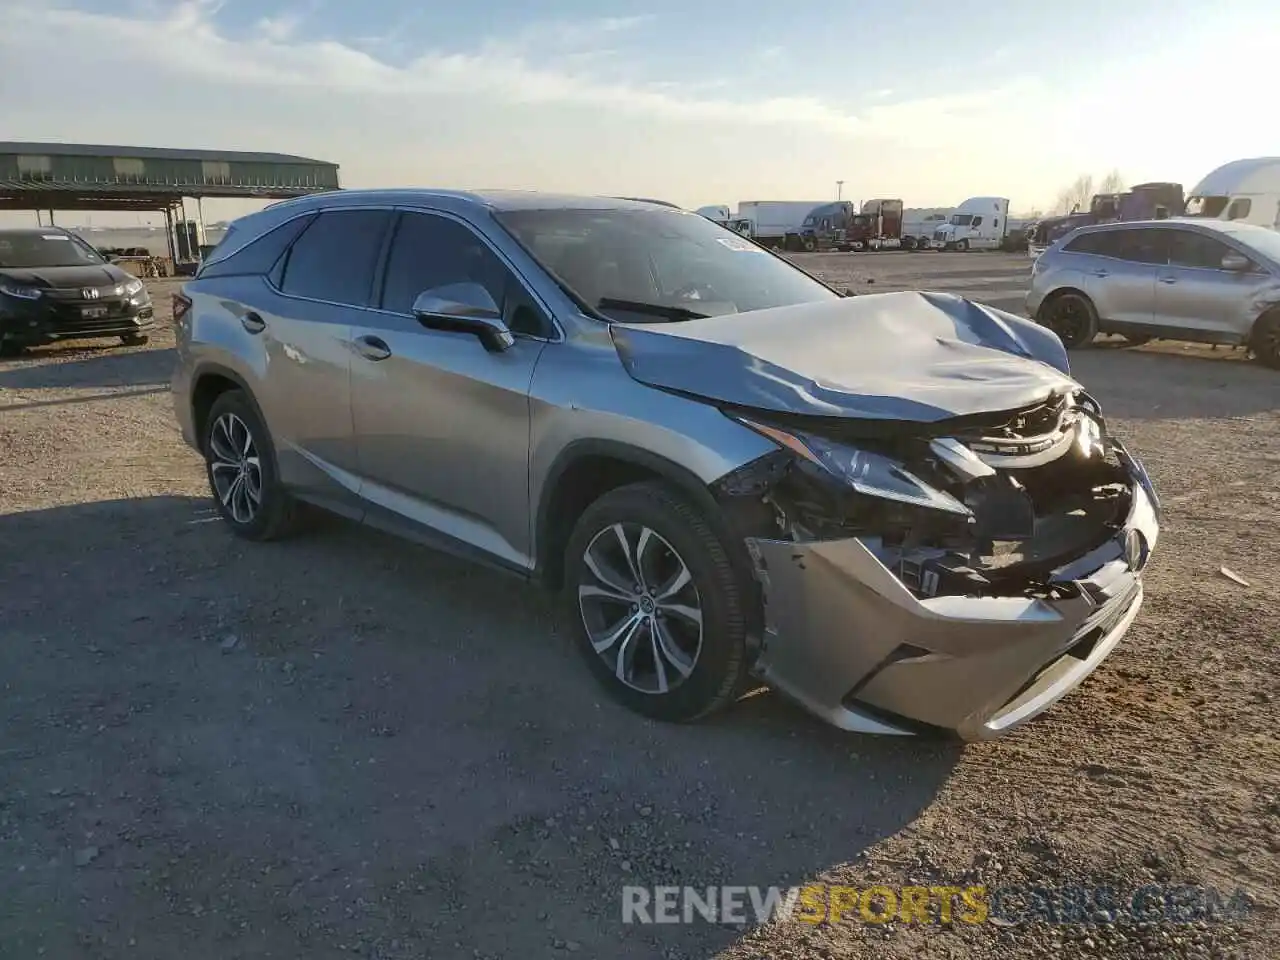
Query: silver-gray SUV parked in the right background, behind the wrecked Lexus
1205	281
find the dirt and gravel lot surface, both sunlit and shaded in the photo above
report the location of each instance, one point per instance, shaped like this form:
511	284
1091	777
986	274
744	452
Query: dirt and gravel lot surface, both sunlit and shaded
345	746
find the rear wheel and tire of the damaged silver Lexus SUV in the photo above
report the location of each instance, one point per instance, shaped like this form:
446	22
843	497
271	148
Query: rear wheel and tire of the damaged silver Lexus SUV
276	514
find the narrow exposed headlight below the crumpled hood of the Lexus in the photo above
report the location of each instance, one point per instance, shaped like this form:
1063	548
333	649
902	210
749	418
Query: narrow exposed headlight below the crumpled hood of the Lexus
866	472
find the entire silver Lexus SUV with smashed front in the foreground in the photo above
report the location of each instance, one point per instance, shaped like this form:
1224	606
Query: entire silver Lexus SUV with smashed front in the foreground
900	510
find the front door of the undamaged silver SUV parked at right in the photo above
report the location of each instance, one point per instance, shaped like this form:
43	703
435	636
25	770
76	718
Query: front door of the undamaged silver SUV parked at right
1195	294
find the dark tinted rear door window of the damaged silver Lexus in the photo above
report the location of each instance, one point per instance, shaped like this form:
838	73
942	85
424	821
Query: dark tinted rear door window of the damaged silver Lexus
335	260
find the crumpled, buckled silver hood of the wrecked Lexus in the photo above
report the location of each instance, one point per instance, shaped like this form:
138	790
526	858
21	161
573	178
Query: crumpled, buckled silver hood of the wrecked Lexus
886	356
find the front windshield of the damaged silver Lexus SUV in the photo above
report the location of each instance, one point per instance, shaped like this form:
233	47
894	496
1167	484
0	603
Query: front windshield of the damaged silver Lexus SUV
659	266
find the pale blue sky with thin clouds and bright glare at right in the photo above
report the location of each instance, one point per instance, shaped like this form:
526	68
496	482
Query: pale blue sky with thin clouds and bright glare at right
685	100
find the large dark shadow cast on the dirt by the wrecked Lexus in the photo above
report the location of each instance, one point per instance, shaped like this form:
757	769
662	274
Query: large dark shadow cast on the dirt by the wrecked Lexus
345	743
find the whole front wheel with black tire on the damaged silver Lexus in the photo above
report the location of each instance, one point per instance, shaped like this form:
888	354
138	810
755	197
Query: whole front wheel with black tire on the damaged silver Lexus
710	664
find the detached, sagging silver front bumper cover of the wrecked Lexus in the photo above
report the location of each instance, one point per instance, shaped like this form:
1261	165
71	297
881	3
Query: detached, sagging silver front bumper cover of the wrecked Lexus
851	643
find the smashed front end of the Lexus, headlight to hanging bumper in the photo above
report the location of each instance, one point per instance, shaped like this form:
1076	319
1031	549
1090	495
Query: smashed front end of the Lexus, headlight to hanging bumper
957	577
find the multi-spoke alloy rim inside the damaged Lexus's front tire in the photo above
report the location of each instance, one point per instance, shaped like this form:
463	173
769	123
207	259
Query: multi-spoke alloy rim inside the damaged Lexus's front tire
641	607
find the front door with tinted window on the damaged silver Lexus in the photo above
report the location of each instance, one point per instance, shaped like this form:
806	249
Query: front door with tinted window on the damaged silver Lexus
442	424
